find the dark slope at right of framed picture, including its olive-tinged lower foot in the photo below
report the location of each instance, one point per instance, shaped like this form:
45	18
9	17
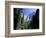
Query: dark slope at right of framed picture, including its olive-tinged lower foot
34	23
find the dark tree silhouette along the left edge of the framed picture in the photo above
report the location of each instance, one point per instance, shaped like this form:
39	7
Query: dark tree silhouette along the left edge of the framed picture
17	12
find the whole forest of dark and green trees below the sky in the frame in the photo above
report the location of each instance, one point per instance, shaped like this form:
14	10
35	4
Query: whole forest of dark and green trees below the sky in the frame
20	23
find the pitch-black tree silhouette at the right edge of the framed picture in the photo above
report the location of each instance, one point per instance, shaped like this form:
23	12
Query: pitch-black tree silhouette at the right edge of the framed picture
36	20
